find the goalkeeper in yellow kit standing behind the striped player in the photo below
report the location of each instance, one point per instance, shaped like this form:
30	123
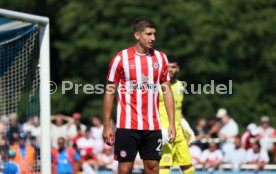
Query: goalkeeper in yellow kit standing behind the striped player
177	153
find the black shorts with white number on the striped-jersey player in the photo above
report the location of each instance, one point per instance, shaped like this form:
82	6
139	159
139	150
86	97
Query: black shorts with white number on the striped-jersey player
128	142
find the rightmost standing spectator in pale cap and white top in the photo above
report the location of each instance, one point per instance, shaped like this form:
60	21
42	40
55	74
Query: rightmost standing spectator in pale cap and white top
265	131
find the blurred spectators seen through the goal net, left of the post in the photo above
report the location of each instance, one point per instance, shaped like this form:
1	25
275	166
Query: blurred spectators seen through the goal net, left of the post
19	145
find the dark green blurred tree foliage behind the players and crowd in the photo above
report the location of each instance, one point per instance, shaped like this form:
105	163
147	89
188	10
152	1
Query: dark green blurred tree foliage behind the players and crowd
215	40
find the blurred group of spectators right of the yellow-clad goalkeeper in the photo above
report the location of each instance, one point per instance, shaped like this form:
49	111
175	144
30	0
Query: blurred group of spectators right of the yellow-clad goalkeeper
219	141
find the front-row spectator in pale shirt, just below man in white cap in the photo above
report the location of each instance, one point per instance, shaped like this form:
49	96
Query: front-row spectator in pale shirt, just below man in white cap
236	156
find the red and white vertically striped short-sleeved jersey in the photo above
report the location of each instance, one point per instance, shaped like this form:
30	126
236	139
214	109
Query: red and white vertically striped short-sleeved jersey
139	77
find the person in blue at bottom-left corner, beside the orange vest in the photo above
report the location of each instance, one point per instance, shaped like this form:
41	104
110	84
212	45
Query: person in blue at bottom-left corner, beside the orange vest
10	167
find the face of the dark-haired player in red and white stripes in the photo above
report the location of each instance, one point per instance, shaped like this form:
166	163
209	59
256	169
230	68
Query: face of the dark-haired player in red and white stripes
146	38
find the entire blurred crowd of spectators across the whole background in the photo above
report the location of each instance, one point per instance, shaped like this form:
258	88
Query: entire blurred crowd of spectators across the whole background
78	147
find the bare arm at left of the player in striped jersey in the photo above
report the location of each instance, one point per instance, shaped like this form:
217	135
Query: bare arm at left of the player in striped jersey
108	133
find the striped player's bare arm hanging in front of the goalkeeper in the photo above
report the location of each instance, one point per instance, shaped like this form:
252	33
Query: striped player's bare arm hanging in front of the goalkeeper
169	104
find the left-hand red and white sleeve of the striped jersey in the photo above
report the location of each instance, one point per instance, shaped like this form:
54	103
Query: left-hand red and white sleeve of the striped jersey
115	69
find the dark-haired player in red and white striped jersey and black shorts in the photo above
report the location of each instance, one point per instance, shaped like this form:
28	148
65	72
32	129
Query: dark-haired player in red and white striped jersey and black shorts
137	72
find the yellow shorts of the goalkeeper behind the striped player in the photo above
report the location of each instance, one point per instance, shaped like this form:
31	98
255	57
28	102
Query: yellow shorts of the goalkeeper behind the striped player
176	154
